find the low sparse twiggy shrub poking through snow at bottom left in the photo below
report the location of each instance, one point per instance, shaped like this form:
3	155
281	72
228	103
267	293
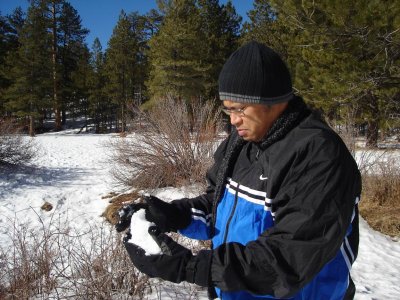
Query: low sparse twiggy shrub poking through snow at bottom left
56	262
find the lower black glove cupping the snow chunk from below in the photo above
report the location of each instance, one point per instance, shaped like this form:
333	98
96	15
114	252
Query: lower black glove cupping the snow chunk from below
175	264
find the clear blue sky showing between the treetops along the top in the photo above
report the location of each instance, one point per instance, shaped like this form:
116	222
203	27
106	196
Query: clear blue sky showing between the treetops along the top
100	16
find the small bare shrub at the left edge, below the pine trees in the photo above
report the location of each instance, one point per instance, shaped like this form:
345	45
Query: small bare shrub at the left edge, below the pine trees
15	149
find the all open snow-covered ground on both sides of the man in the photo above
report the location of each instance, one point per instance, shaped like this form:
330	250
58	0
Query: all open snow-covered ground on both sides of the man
72	173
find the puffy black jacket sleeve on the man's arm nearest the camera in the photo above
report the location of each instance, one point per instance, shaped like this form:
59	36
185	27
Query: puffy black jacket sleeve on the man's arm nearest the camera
316	202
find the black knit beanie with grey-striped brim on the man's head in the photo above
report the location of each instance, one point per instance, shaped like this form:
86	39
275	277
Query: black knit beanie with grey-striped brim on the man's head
255	73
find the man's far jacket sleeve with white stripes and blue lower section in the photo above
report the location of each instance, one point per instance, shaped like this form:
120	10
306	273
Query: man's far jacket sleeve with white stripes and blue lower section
200	207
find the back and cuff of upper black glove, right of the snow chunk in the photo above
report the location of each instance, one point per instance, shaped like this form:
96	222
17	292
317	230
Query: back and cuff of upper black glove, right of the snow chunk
167	216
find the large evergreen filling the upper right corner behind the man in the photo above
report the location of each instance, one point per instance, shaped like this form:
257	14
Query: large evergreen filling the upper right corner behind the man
343	55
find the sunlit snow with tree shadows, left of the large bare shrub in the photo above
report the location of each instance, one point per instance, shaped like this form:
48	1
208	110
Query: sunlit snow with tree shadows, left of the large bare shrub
70	173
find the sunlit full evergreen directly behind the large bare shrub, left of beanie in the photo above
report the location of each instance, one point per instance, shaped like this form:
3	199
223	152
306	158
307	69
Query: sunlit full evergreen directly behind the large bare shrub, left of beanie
176	52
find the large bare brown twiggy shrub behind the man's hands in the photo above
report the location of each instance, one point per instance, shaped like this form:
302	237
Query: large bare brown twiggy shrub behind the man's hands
174	149
